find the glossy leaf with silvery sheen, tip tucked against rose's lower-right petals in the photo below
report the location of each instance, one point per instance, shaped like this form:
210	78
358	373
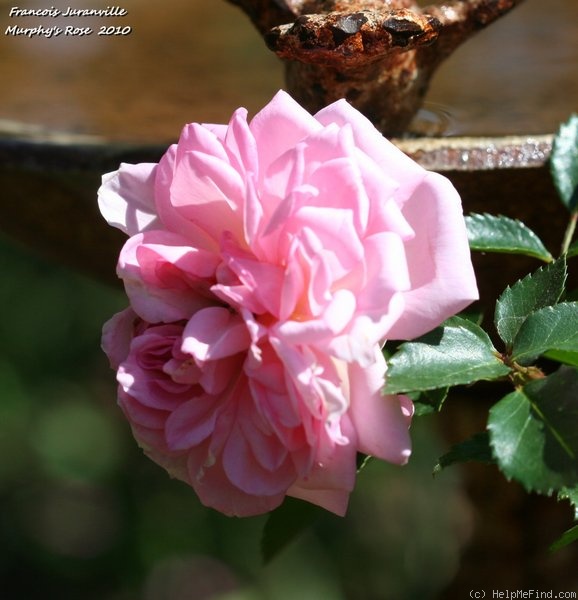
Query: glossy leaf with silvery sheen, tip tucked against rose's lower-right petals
457	352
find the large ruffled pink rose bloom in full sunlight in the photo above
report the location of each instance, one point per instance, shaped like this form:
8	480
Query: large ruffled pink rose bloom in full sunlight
267	263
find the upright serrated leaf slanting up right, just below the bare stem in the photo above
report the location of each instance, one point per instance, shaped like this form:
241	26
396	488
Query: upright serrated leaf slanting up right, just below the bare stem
537	290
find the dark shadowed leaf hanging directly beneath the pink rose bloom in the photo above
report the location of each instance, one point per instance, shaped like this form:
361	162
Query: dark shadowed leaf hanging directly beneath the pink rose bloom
285	524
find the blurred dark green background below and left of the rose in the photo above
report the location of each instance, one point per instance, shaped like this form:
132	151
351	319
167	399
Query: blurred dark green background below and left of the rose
84	515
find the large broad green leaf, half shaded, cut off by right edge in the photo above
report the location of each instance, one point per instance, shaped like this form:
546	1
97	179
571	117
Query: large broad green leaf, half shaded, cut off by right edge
534	433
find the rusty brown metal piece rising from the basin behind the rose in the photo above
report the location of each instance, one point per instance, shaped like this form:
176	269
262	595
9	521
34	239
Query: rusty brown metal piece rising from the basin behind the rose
380	56
